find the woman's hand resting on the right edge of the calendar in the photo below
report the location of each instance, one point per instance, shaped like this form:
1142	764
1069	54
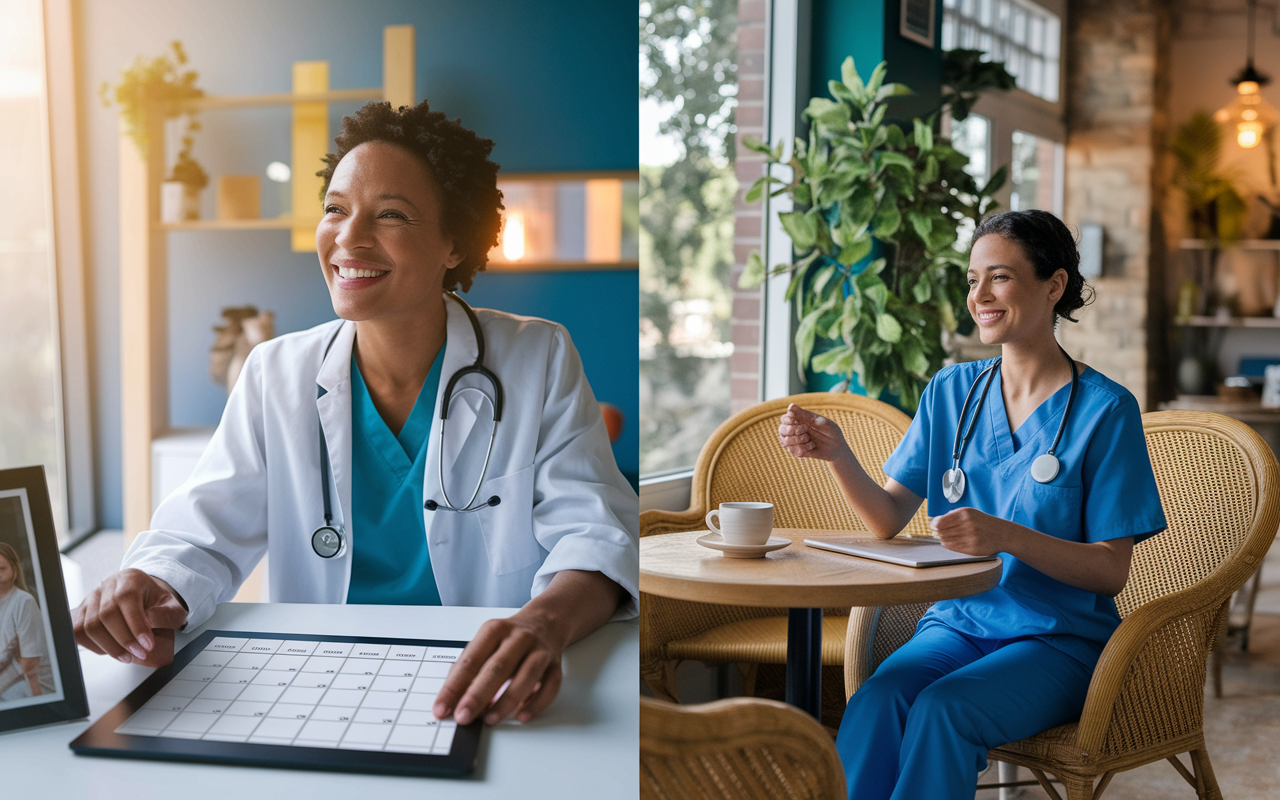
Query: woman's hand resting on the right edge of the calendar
527	651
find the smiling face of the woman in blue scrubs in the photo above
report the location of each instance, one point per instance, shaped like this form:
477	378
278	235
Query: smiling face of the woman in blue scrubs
1007	299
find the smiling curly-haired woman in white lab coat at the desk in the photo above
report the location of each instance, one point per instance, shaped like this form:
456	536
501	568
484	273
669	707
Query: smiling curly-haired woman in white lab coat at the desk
412	212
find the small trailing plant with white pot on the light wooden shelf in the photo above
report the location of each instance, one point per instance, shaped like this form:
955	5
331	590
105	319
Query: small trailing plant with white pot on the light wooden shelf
161	86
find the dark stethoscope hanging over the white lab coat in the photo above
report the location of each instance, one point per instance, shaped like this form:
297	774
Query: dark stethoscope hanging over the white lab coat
330	541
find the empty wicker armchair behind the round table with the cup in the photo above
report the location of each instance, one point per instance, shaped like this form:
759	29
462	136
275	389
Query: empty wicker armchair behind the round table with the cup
743	461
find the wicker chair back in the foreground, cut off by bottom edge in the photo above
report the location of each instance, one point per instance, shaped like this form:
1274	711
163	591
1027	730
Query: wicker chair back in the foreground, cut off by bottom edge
740	749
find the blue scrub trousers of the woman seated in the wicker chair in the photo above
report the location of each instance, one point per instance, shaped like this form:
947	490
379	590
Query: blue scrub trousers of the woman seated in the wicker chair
922	725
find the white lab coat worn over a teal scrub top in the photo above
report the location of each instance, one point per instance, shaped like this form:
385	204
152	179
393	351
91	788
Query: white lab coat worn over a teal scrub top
257	490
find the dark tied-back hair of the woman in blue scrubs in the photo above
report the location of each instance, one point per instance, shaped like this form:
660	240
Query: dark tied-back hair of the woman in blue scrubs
1049	246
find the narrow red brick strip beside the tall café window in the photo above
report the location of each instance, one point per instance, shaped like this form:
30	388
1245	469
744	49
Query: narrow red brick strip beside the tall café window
747	316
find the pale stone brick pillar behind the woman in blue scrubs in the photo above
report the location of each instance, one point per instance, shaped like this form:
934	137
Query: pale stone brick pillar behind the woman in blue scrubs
1117	100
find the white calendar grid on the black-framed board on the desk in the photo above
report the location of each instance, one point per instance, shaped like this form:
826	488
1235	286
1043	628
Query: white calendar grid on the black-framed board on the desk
313	694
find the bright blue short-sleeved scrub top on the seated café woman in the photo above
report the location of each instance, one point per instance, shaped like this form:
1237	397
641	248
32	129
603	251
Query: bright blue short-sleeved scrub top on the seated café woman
1105	490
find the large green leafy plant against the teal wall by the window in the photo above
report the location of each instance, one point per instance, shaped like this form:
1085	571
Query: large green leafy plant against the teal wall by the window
858	182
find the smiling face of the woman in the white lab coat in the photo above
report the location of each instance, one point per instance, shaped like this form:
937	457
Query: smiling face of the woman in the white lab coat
381	244
